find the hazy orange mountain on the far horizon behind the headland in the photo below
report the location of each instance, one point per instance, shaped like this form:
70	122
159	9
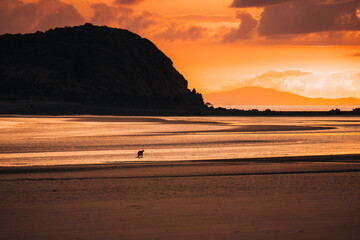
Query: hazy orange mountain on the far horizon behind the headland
266	96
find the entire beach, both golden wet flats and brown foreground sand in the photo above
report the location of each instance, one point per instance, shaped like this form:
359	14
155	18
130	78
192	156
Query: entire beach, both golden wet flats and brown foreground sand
77	177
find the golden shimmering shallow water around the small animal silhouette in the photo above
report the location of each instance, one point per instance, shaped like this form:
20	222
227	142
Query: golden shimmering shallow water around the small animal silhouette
28	141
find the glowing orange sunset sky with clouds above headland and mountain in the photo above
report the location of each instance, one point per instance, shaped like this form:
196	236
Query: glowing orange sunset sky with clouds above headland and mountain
308	47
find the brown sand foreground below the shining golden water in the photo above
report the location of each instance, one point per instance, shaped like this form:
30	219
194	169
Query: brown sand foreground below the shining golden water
183	200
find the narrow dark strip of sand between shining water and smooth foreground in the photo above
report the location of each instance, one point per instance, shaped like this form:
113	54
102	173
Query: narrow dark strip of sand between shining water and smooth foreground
299	165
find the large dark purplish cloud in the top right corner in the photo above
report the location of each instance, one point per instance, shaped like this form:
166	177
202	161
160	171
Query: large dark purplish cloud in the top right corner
309	16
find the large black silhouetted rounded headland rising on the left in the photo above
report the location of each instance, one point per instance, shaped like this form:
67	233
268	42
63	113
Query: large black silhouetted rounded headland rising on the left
91	66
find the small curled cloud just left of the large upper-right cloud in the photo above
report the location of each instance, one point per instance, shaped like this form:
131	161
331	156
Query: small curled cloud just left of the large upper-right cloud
247	25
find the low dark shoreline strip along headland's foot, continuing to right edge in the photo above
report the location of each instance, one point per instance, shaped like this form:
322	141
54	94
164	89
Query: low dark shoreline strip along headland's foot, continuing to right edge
43	108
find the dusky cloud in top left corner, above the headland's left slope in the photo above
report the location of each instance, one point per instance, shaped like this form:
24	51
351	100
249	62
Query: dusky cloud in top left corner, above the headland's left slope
19	17
